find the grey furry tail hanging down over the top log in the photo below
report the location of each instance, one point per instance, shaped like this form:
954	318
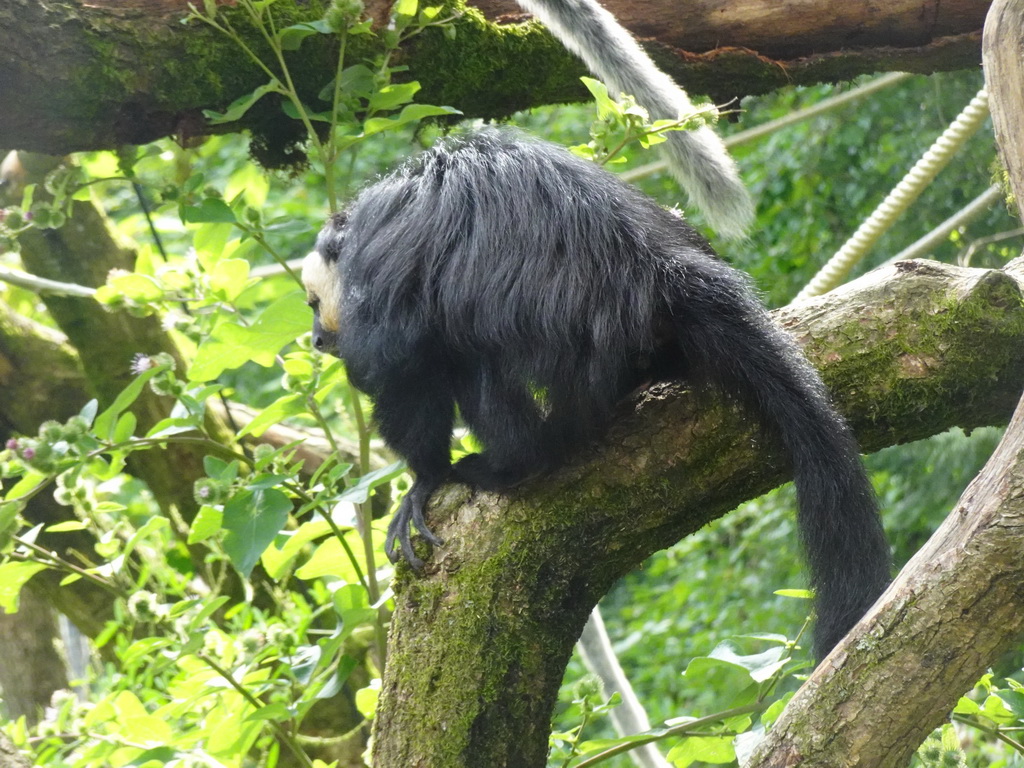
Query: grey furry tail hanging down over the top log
698	159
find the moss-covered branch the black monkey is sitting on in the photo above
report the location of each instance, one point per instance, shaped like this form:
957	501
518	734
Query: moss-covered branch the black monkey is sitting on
479	645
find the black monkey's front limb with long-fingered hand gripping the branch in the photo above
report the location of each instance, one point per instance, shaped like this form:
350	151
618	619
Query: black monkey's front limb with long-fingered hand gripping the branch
415	416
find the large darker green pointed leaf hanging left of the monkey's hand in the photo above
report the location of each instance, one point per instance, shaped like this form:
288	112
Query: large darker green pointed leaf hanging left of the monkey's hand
252	520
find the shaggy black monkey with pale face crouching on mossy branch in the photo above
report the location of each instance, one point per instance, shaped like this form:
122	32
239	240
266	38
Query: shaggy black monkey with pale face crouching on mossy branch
535	291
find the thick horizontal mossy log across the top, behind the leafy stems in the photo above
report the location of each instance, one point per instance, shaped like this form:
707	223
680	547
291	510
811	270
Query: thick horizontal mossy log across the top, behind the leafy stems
103	74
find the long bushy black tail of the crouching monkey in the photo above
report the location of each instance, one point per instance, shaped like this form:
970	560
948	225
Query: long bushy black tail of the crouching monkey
727	334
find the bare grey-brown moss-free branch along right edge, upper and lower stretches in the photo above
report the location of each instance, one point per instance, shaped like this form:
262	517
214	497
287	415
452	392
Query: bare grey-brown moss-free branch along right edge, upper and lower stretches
960	603
